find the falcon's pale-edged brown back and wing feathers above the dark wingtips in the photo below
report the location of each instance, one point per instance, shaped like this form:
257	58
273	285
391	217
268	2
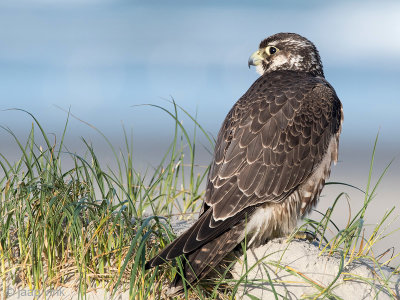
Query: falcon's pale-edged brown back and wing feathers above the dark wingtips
271	141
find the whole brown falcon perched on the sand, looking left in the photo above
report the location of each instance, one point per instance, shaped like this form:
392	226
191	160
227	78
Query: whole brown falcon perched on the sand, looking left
271	159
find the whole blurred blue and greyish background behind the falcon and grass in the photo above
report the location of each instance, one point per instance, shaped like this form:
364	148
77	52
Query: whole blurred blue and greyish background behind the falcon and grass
100	58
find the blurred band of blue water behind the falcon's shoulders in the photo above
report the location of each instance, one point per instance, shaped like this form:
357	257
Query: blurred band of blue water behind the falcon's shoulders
104	96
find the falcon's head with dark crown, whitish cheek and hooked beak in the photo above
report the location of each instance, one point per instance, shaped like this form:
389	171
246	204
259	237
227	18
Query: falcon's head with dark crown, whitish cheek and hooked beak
287	51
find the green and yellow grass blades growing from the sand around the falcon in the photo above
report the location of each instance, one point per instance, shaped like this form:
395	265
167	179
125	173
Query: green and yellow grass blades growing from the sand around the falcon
86	227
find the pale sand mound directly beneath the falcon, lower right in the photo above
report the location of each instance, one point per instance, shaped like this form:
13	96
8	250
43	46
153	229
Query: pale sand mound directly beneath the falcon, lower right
304	257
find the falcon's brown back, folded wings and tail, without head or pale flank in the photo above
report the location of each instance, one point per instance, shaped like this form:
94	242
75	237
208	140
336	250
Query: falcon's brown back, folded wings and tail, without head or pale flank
270	142
